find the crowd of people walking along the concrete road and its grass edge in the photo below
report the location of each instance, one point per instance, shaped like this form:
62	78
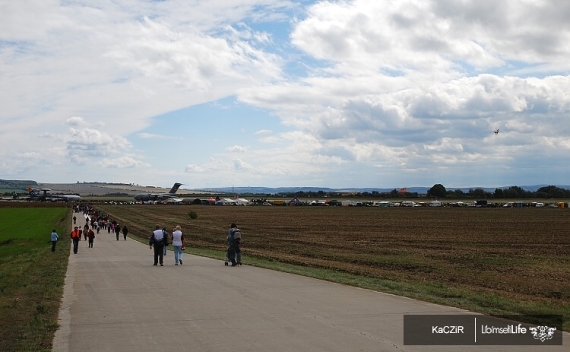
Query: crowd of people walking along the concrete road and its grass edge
159	239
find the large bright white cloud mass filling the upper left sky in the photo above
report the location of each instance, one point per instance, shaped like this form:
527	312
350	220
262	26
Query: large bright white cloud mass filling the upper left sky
117	66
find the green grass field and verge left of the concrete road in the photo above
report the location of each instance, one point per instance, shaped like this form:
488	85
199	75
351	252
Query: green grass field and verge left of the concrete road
32	277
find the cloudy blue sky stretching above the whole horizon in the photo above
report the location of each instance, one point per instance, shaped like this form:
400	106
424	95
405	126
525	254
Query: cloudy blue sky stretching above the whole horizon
285	93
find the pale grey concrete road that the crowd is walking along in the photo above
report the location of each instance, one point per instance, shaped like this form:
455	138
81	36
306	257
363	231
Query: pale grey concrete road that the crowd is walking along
116	300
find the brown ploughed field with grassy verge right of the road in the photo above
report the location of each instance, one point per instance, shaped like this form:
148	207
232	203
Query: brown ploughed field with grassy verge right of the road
493	261
